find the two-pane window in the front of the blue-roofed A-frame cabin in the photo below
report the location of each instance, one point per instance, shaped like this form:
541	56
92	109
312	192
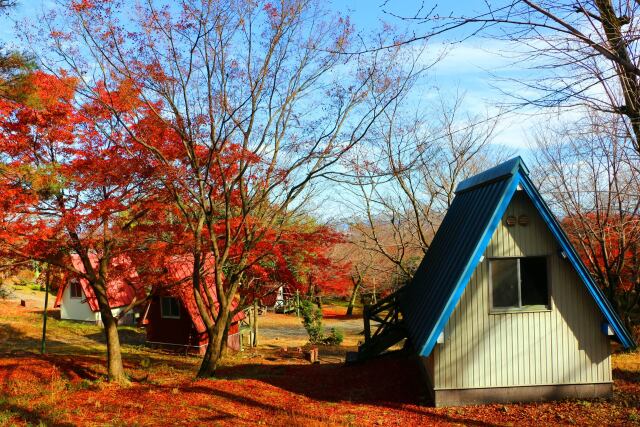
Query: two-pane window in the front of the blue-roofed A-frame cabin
519	283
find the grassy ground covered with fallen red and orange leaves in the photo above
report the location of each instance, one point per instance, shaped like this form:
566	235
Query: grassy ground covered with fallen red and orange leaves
266	386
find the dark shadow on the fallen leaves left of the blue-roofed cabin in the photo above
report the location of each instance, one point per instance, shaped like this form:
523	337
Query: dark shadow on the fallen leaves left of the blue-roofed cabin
393	382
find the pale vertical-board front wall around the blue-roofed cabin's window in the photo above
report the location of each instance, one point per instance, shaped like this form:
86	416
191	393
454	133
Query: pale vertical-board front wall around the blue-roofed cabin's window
563	345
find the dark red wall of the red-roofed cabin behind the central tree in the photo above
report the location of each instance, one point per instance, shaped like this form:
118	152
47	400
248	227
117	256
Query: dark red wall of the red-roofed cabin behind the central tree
175	330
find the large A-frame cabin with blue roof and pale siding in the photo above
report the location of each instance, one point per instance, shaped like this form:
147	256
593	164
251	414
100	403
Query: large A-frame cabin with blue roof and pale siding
502	308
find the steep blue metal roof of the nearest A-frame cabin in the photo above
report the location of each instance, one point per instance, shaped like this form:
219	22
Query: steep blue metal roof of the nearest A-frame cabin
462	238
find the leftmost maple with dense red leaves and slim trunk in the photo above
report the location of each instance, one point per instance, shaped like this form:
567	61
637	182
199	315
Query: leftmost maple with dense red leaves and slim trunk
71	187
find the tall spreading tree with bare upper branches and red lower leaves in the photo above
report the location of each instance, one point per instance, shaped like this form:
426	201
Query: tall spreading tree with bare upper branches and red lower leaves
242	109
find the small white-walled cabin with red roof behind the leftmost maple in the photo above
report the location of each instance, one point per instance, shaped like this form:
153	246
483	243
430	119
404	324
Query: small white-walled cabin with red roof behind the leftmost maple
77	301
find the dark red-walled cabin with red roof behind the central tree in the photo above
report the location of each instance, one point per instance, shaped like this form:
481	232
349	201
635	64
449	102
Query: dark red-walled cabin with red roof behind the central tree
172	319
